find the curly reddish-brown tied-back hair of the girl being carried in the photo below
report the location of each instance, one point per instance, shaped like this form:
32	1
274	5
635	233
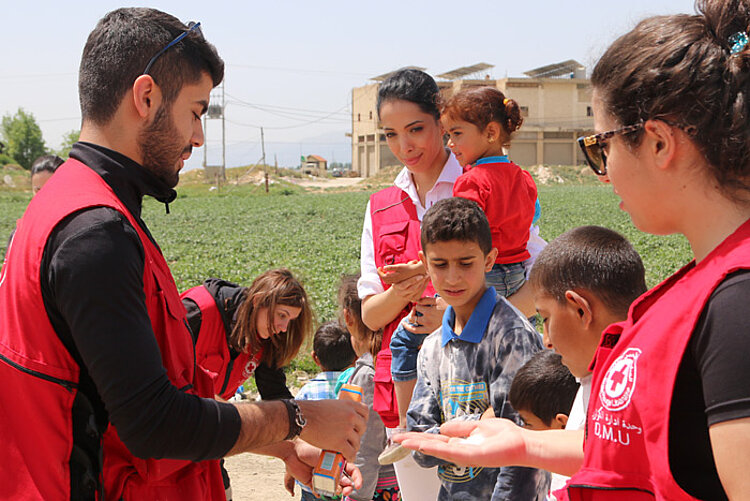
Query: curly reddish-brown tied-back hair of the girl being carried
482	105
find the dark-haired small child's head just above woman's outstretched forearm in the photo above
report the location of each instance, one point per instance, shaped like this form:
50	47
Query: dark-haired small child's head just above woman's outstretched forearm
543	392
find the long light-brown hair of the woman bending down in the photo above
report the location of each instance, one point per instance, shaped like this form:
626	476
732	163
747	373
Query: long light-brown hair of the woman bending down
272	288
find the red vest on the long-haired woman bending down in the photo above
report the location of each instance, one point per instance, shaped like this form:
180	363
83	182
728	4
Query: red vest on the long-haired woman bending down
212	348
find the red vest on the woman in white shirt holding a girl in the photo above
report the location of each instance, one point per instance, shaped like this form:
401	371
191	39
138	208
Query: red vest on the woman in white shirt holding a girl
395	239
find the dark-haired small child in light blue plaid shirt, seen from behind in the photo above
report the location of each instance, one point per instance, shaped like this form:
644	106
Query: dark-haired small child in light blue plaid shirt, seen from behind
332	352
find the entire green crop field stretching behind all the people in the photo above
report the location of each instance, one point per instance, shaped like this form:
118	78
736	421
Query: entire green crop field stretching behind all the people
241	232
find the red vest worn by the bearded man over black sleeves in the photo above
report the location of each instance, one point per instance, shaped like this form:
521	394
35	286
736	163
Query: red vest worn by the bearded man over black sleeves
40	378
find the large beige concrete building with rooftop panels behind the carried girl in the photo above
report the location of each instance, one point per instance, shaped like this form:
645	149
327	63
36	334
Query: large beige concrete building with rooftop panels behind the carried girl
555	102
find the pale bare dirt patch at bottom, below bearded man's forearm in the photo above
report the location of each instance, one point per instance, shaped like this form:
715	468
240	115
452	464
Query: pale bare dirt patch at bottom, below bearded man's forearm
254	477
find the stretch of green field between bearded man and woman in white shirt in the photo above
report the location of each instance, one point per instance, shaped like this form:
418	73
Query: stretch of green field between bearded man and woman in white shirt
242	232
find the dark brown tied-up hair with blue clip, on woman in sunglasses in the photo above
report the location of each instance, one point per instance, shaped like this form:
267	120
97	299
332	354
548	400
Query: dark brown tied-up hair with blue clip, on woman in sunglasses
680	68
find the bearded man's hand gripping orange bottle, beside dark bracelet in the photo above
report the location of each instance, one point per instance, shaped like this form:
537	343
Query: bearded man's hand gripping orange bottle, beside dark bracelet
335	425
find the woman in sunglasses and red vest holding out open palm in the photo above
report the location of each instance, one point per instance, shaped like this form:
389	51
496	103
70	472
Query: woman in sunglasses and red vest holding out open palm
669	416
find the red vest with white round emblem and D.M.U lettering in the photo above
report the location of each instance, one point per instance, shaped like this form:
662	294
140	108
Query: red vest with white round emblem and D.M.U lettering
627	429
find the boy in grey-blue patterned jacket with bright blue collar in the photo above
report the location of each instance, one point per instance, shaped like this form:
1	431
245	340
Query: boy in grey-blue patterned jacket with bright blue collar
467	365
